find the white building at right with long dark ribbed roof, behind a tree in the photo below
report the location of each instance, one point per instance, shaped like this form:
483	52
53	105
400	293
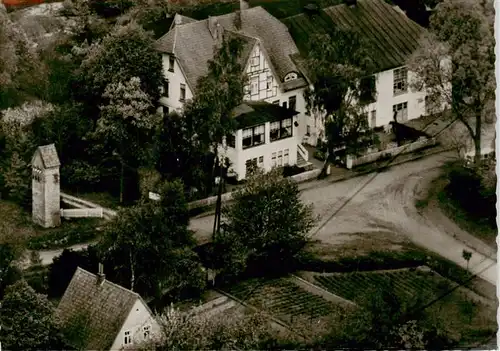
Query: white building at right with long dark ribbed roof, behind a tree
392	38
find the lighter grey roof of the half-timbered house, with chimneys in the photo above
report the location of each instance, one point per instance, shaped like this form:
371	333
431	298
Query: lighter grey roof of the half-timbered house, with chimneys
193	44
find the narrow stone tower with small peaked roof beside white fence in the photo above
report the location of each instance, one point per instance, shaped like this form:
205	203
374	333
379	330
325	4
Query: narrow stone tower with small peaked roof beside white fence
46	186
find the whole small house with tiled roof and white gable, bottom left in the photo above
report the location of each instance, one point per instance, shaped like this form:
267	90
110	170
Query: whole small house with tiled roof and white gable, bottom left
102	315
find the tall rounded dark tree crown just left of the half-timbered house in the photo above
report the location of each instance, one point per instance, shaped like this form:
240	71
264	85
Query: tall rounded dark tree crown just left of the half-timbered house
126	53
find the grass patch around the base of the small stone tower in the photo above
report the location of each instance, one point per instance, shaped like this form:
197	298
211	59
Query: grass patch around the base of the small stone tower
16	227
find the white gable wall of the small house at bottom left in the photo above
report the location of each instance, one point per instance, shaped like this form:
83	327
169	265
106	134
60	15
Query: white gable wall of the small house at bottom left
138	318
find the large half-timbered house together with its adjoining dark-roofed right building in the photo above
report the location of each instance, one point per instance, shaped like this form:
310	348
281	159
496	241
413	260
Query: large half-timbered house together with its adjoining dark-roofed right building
270	58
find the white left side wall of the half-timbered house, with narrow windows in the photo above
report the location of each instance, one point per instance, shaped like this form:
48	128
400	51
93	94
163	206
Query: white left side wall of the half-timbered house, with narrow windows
175	79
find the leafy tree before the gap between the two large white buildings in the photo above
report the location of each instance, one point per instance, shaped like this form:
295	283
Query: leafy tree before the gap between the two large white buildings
340	67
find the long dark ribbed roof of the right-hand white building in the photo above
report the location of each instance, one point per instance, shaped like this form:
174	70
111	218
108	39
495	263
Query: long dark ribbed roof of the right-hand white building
391	36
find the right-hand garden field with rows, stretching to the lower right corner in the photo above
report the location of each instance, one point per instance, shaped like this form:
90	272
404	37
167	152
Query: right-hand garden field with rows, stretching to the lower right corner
468	317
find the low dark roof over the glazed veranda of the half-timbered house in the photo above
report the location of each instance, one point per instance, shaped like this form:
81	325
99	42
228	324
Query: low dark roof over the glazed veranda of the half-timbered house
253	113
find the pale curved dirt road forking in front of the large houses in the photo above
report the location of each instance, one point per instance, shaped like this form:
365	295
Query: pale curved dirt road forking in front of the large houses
385	202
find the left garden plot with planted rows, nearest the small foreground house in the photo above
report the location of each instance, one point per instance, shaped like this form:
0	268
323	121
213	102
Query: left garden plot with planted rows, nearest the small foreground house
285	300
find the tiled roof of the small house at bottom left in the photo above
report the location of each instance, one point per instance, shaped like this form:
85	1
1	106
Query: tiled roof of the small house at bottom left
104	306
